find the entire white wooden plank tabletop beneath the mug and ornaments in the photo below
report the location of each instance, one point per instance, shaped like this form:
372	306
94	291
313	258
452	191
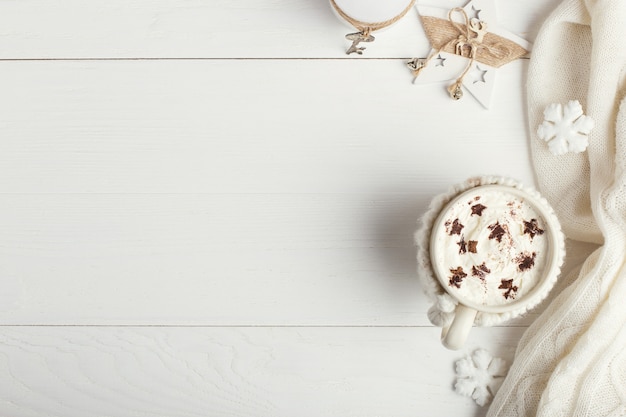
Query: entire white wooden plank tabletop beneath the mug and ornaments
208	209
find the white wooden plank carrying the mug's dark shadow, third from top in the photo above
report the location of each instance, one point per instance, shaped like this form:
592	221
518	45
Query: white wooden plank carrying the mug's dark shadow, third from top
228	259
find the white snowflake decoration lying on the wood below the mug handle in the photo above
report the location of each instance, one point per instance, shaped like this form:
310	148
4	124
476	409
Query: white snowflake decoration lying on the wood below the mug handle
479	376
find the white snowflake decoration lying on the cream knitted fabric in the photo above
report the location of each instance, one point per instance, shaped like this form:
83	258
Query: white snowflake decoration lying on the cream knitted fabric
565	129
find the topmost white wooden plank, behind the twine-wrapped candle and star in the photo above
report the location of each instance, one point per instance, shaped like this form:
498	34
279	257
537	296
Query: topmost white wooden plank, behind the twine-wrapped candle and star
34	29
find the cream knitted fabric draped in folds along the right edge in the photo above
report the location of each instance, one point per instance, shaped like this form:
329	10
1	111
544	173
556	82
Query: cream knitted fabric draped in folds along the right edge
572	360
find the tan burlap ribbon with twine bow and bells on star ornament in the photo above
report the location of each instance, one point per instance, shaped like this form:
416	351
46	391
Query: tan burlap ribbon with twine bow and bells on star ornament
469	39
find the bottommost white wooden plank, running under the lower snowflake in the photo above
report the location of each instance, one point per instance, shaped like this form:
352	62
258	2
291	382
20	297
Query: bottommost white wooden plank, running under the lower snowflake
156	371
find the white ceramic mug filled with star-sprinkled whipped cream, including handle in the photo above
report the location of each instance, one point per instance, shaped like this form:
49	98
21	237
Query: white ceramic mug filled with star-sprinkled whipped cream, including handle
522	265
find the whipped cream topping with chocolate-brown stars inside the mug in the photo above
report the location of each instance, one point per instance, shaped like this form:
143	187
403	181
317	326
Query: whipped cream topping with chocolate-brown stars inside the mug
491	247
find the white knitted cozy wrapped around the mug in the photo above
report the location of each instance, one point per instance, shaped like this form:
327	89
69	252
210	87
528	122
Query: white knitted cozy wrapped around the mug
441	312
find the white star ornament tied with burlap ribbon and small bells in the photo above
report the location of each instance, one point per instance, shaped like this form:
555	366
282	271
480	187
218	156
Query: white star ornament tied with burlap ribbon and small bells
472	36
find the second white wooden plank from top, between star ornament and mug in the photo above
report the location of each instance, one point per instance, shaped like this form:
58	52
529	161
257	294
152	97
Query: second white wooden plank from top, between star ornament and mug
249	127
